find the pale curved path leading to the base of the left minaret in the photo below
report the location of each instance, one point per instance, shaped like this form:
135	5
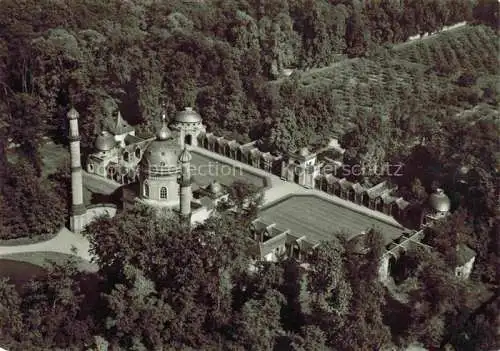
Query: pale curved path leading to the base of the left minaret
65	242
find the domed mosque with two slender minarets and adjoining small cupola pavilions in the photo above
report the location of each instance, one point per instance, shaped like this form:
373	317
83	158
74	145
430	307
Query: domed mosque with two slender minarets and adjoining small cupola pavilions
155	171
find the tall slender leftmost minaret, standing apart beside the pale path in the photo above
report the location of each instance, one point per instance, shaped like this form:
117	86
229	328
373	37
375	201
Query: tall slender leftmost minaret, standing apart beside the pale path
78	211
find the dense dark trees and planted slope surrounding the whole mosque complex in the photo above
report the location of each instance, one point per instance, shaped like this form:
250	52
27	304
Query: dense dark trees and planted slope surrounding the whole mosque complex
431	106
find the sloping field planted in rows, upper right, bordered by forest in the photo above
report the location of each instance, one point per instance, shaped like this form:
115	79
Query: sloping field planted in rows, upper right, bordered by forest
402	73
